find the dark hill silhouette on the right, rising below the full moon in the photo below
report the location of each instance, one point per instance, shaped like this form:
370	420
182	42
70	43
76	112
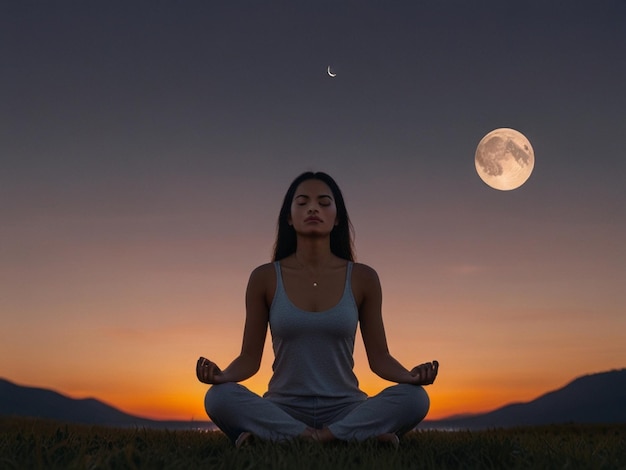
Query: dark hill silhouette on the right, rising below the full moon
597	398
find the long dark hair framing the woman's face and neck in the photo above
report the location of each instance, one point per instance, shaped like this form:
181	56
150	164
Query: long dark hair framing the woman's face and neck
341	238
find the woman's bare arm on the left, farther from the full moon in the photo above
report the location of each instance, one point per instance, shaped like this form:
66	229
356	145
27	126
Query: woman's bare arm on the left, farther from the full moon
255	330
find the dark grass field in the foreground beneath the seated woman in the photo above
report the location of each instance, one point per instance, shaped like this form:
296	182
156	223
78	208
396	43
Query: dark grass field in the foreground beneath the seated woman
26	443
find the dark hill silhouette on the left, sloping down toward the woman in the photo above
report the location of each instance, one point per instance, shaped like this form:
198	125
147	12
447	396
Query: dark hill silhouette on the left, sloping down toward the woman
16	400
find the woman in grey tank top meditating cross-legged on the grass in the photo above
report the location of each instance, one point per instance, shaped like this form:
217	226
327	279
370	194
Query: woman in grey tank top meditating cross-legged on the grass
312	297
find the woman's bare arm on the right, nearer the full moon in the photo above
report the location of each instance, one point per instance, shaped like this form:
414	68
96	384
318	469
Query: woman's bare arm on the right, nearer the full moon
380	360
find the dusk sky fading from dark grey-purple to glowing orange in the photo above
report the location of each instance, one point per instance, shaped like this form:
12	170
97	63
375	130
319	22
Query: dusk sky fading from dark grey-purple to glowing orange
146	146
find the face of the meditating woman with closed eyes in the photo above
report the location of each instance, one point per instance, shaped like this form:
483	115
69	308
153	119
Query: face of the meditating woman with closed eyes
313	209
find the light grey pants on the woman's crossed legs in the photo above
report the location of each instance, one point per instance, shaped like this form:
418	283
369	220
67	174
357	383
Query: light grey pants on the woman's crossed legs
235	409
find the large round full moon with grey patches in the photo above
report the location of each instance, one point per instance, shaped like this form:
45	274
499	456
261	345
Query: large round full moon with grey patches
504	159
